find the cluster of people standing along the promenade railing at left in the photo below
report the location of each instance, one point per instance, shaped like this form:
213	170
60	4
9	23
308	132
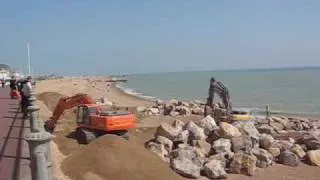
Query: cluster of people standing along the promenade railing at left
24	87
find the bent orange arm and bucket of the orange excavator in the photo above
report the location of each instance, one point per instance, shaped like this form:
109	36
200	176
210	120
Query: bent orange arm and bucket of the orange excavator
66	103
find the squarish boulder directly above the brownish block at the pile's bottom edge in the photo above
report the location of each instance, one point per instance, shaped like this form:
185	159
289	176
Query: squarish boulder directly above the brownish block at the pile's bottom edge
241	143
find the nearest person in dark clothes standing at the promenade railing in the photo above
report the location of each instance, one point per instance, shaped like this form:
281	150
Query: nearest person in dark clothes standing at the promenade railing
26	88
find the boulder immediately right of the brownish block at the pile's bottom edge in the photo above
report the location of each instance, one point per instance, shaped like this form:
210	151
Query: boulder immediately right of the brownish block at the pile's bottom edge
264	158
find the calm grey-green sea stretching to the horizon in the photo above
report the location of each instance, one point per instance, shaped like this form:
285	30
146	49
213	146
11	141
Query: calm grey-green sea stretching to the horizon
294	91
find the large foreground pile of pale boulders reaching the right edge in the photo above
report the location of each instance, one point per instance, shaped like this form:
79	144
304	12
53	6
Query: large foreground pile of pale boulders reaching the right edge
205	148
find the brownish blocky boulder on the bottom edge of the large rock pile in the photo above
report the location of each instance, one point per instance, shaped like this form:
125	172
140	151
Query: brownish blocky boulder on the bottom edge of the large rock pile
243	164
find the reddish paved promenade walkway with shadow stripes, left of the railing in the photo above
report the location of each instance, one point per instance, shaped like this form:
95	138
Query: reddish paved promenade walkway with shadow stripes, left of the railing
14	153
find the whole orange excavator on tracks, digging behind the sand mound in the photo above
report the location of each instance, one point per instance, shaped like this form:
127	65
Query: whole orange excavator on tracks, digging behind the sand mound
92	121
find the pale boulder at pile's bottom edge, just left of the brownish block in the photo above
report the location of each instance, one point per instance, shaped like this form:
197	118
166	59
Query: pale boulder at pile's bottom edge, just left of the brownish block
214	169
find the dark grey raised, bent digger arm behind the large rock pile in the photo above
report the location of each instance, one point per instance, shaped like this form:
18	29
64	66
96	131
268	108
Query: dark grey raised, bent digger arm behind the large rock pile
223	93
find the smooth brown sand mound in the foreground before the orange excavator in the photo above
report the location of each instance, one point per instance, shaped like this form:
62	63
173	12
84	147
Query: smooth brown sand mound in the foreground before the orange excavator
112	157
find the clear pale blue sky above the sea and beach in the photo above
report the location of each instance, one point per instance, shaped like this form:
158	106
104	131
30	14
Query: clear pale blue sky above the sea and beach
138	36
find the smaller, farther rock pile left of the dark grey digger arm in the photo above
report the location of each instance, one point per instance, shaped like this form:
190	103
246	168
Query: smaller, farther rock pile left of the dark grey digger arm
173	108
